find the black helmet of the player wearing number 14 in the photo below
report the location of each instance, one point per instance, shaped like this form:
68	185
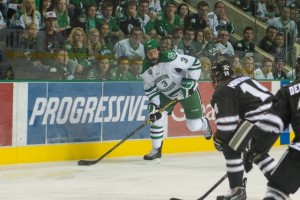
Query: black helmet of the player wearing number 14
220	71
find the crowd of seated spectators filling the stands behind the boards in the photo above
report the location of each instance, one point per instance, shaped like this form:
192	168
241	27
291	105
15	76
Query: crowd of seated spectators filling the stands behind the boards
103	40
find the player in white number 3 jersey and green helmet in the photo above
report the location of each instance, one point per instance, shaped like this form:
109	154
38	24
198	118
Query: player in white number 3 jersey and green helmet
167	76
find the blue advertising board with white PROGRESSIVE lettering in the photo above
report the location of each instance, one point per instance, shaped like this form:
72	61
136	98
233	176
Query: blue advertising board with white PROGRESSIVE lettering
85	112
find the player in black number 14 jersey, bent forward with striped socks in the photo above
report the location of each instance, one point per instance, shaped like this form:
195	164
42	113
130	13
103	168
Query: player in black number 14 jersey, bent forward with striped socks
238	102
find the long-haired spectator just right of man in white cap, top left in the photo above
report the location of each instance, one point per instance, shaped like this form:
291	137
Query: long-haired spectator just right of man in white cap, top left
63	19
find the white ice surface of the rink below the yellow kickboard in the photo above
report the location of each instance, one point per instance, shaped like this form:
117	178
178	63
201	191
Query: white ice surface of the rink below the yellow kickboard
186	176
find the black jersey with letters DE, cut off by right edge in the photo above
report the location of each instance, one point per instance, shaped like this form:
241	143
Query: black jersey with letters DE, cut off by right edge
284	111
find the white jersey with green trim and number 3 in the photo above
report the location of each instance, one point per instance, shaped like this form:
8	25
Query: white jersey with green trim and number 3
166	76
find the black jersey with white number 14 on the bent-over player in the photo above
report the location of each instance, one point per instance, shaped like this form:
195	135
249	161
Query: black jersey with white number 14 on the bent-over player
239	98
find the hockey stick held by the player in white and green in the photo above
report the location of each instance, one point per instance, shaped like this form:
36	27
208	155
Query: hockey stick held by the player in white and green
92	162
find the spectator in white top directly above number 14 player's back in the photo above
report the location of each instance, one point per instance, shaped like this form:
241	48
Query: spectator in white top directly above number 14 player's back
265	72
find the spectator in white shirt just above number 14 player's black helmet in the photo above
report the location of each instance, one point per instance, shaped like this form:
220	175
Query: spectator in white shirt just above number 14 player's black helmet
223	45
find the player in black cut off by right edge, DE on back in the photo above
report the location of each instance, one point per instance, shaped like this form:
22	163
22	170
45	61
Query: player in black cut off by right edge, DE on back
285	177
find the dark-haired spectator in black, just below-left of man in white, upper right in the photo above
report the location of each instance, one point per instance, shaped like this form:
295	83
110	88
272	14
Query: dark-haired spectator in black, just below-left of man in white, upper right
266	43
